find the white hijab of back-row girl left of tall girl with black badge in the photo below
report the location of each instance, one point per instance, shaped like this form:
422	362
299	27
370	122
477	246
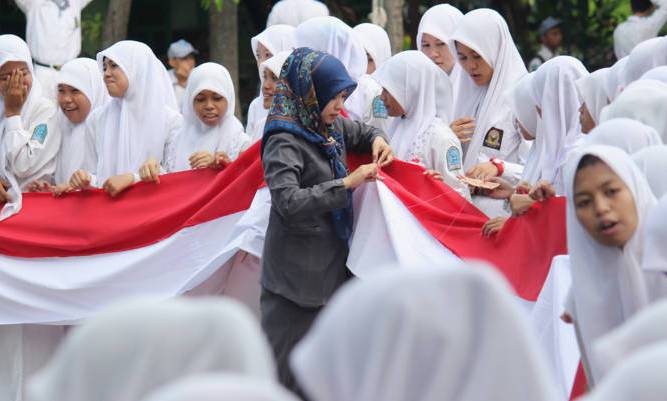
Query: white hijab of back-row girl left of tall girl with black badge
441	22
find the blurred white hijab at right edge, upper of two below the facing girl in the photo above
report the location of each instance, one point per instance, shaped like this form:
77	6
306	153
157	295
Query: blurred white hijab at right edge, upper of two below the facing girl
644	329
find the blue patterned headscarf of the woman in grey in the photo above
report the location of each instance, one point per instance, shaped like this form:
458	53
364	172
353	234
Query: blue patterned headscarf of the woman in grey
308	81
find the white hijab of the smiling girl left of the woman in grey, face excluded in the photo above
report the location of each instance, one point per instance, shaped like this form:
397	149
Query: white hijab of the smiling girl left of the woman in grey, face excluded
195	136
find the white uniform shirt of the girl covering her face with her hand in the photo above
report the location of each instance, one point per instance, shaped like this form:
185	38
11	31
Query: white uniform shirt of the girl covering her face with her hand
32	143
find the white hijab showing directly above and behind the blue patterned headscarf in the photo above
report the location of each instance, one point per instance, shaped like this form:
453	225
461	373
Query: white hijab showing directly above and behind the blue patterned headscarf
333	36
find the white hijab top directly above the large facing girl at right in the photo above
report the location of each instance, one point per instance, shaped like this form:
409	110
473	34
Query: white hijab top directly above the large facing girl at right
623	133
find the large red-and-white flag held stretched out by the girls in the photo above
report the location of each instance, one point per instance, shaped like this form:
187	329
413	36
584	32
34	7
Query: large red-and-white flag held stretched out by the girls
65	259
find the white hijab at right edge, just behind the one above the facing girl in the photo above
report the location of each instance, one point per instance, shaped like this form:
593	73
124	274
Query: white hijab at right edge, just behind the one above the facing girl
644	101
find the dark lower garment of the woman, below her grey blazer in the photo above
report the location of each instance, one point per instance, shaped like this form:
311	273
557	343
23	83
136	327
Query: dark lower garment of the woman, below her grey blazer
285	324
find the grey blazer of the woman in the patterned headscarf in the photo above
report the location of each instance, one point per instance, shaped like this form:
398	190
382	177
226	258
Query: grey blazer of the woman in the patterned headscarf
303	258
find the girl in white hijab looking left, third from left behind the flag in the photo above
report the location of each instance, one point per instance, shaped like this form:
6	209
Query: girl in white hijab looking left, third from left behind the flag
138	123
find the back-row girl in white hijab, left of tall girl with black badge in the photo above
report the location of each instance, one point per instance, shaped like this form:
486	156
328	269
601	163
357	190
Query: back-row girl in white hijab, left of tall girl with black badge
434	34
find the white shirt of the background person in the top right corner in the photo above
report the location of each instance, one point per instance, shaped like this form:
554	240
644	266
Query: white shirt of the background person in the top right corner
636	29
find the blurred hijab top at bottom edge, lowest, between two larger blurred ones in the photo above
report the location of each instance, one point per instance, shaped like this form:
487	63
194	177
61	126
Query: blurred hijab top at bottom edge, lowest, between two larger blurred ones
221	387
